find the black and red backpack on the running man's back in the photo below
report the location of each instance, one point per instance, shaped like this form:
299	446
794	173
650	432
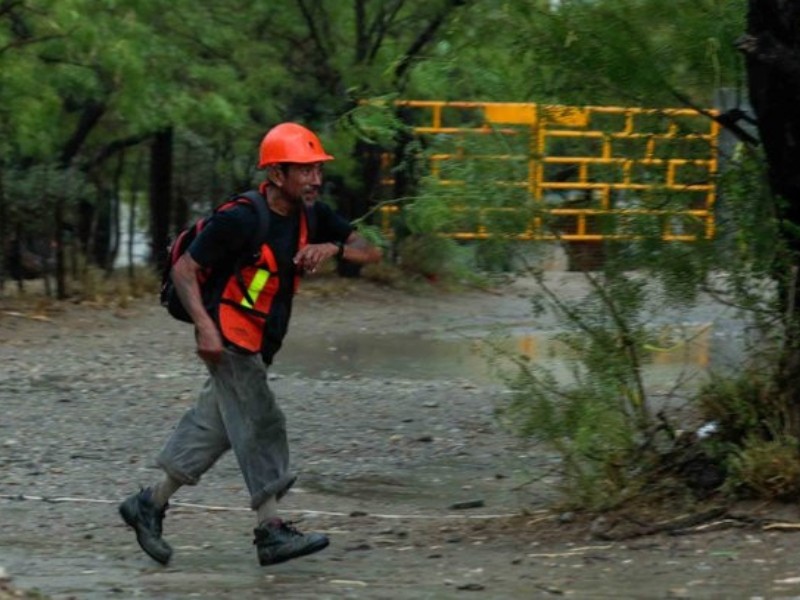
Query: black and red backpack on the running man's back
168	296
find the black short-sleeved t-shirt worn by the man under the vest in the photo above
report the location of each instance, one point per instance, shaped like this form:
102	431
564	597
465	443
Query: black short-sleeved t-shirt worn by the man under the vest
226	238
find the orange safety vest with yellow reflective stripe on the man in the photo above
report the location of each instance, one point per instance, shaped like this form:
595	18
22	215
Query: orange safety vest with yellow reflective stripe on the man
248	295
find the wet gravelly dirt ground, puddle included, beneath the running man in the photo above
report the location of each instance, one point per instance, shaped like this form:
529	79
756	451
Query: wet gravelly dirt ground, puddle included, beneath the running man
403	465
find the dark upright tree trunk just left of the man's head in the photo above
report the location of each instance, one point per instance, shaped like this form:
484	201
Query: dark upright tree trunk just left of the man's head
160	195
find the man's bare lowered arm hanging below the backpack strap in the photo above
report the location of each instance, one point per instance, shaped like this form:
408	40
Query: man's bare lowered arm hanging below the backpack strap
184	275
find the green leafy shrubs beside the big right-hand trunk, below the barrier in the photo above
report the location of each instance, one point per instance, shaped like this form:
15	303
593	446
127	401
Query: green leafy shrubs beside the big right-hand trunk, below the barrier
601	419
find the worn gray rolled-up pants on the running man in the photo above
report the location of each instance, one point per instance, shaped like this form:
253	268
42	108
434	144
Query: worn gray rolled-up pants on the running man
235	409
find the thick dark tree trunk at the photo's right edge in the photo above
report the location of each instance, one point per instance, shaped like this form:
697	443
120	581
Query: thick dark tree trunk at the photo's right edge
772	53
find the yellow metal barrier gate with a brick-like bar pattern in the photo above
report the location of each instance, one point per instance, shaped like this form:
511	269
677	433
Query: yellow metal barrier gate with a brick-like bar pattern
571	173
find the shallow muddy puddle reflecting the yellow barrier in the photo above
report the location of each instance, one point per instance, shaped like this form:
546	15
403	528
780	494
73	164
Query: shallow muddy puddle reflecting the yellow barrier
682	352
